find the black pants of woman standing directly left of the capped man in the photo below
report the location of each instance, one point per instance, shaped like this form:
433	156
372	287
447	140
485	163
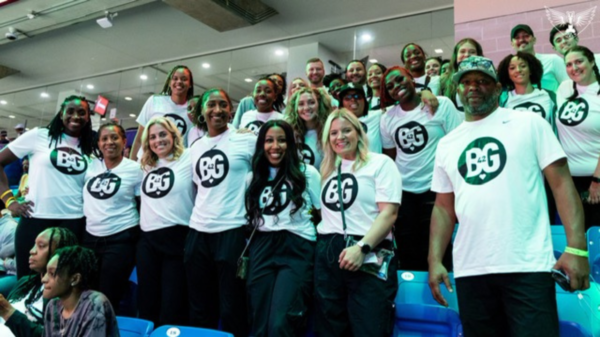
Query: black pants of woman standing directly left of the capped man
411	231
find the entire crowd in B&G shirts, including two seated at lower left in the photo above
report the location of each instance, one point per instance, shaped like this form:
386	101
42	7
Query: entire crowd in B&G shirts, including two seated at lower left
308	200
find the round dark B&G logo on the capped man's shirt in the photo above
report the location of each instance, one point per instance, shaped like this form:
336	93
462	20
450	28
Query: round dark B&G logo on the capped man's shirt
482	160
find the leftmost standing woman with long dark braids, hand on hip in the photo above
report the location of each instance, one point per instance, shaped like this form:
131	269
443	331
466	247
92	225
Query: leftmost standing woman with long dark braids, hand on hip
59	155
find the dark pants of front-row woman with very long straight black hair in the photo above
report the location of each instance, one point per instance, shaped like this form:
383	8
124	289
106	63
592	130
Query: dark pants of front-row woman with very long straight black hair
280	279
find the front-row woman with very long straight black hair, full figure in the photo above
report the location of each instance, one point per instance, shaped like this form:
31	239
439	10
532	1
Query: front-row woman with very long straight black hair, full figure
281	200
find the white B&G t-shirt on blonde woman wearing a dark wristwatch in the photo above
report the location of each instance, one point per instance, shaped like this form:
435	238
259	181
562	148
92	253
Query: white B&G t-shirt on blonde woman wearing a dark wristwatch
377	181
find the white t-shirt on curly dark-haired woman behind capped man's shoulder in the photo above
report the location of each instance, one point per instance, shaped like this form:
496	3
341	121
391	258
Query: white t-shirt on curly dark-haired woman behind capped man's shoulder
538	101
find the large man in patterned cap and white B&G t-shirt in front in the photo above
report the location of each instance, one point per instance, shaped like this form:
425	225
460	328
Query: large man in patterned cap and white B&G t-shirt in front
488	176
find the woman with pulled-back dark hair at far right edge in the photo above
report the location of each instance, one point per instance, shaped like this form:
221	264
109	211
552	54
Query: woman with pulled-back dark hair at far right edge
578	125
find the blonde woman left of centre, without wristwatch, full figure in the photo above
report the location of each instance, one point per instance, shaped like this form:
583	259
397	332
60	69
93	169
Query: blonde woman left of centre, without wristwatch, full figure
167	196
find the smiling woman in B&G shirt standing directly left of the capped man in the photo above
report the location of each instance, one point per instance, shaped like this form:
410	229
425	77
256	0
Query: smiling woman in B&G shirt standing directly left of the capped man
410	135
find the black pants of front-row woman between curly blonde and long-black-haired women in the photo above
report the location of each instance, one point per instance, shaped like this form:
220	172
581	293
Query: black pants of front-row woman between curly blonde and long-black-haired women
215	292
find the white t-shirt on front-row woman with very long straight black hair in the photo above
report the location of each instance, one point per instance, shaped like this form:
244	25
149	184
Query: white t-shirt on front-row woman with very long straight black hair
276	212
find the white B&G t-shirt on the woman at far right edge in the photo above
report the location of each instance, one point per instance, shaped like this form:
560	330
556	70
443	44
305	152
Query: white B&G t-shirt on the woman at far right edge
578	125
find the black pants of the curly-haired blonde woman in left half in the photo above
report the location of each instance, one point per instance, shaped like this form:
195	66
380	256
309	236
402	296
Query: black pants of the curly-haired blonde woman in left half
162	286
